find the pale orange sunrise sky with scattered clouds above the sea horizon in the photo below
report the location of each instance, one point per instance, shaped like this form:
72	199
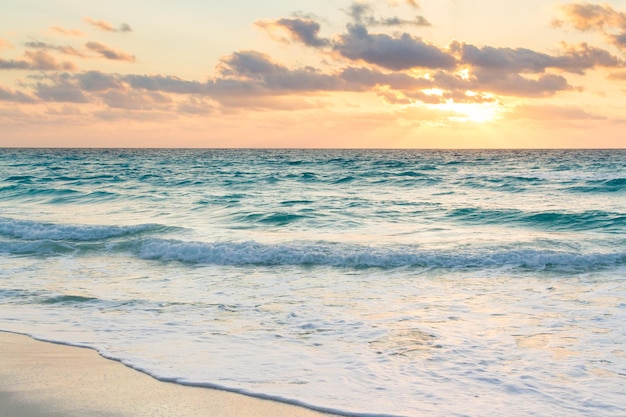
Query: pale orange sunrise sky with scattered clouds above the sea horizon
304	74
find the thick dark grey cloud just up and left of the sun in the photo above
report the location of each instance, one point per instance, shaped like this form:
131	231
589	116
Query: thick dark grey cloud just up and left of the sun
395	53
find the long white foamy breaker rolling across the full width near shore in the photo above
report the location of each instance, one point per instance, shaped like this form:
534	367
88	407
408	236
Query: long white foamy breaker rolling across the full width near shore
312	254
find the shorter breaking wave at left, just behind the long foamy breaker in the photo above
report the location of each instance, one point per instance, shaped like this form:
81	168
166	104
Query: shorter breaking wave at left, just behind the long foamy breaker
30	230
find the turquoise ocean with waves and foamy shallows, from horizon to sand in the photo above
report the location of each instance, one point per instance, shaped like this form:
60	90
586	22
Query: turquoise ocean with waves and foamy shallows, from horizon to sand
363	282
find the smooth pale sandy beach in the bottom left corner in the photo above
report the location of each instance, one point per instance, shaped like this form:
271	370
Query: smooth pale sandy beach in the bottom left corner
39	379
